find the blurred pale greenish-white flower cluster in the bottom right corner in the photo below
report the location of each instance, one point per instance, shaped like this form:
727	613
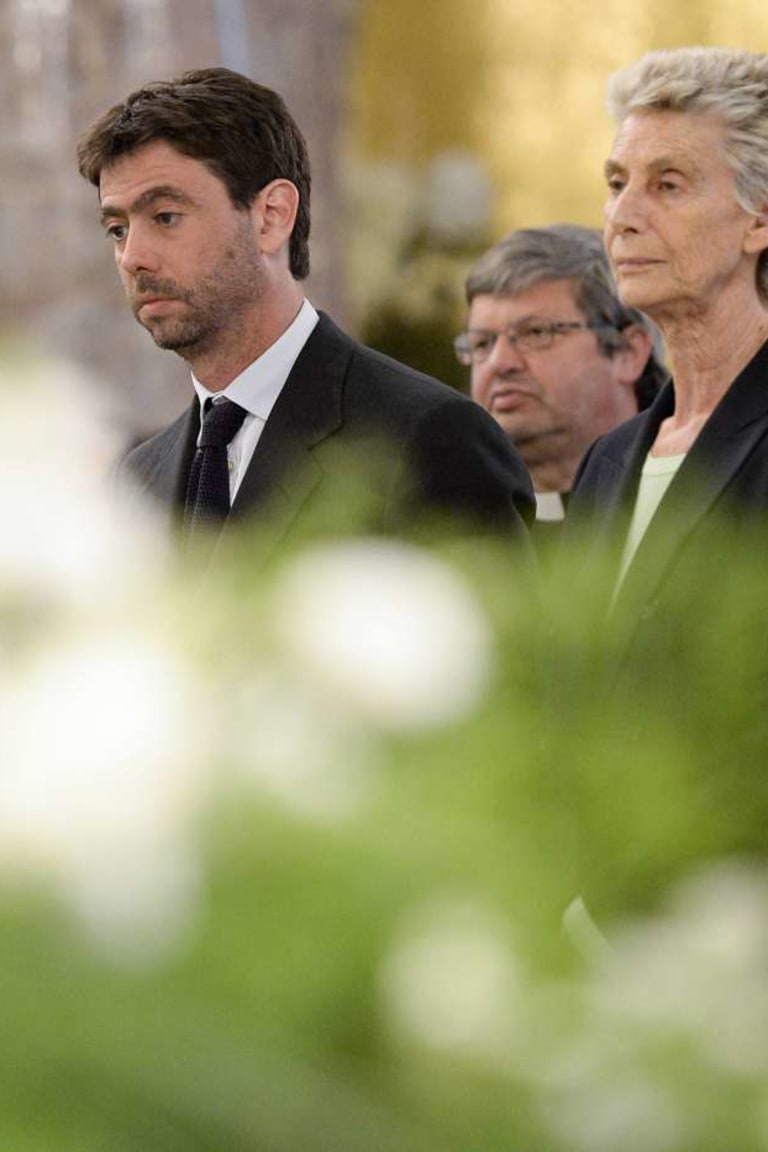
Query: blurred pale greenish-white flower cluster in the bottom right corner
678	1004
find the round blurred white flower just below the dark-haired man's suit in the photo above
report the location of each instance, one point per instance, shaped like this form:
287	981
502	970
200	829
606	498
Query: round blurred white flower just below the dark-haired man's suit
387	630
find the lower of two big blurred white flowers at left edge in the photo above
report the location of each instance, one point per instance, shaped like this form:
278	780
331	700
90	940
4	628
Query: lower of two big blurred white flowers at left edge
101	785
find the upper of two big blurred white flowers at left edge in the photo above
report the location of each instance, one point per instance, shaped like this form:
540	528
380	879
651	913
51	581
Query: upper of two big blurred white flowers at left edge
65	535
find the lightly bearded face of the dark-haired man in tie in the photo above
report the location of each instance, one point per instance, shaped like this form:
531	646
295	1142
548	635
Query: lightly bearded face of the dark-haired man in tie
188	259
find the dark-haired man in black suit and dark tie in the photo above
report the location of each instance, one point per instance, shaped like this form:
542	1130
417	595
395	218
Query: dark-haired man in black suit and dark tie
204	187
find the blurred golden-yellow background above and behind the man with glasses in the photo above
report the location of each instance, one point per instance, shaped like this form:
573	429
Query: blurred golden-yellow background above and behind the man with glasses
470	118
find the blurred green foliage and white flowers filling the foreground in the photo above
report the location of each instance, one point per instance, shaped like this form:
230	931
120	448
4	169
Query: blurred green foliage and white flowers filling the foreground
362	852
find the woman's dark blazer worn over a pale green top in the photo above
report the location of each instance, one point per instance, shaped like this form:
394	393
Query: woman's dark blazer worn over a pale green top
719	496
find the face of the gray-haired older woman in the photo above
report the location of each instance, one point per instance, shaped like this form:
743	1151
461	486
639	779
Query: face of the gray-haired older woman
675	232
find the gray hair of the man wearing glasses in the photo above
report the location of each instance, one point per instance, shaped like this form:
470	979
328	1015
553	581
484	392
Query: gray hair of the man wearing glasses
568	252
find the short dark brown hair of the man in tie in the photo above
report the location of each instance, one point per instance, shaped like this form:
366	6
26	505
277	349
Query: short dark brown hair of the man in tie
241	131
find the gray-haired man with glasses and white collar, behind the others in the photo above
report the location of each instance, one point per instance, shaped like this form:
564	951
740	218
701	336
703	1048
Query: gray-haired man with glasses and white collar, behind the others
554	355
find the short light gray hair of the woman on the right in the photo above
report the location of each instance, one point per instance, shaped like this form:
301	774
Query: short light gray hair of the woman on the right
733	85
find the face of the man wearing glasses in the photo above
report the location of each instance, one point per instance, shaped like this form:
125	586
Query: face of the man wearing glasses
564	393
